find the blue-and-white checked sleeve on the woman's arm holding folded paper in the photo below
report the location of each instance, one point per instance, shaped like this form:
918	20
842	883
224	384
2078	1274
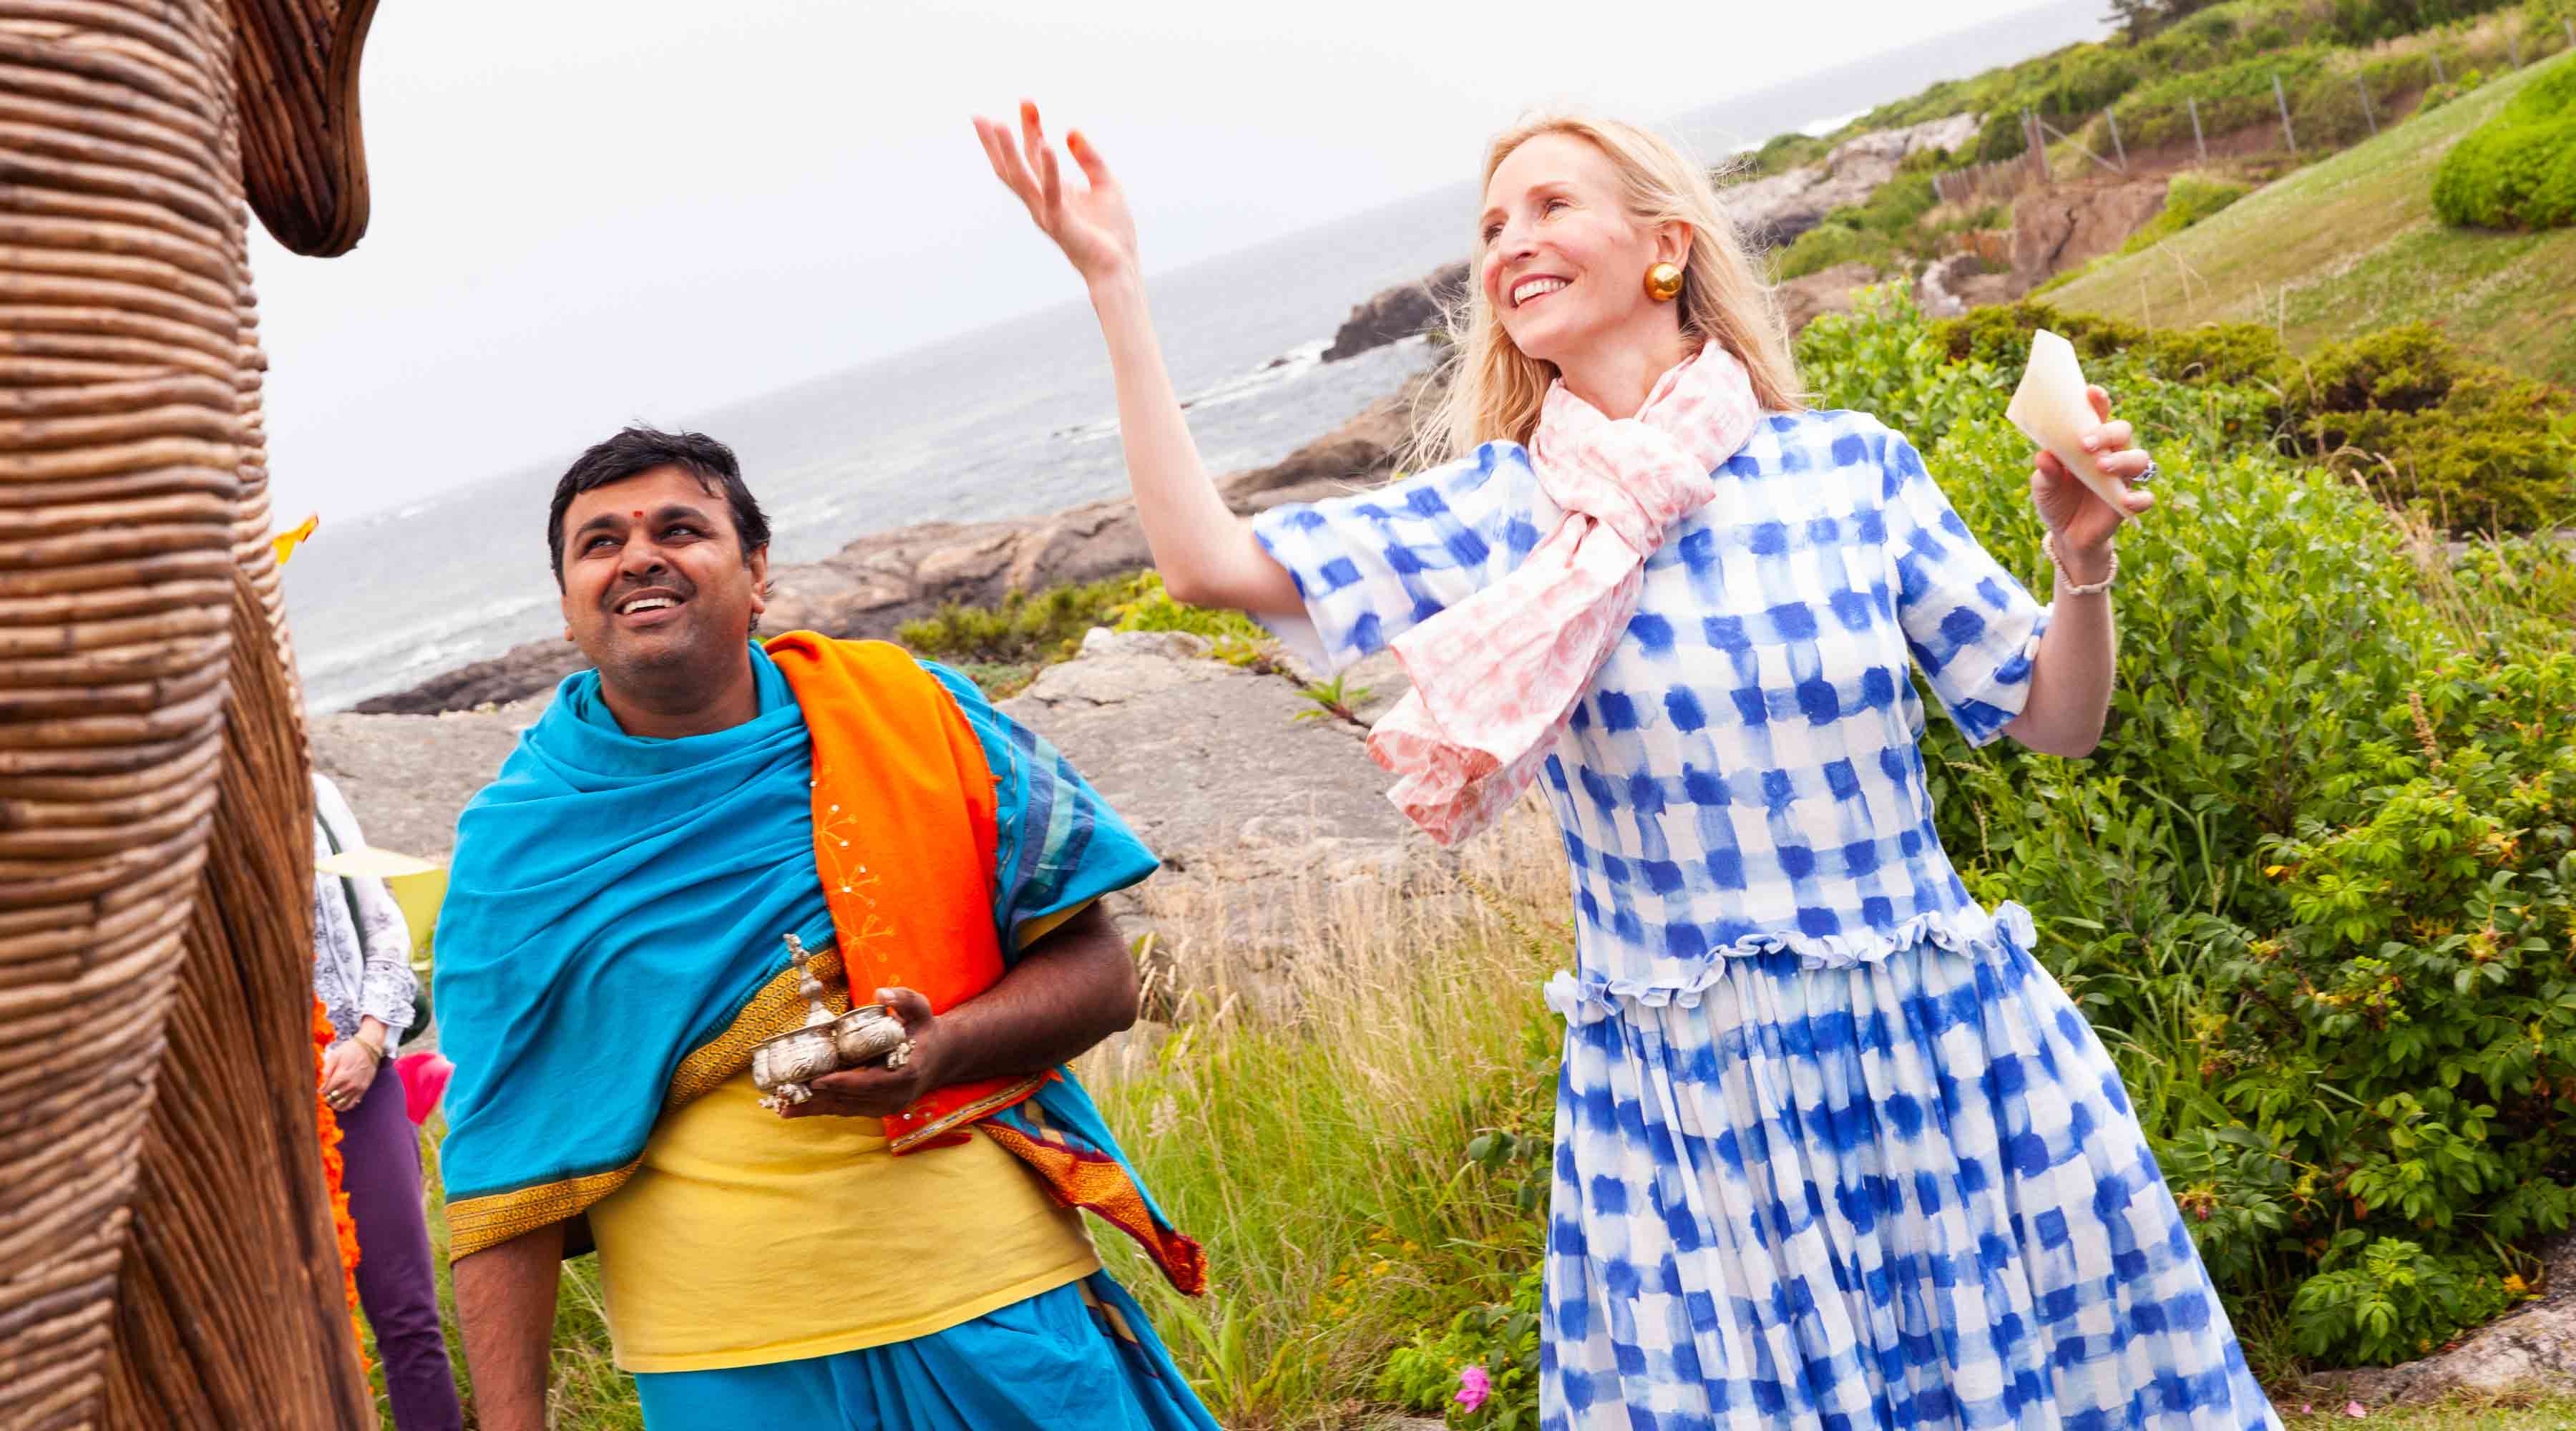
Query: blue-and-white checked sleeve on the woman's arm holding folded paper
1969	622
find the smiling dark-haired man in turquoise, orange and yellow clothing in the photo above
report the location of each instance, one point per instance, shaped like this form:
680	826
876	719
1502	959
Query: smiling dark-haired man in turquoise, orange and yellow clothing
905	1247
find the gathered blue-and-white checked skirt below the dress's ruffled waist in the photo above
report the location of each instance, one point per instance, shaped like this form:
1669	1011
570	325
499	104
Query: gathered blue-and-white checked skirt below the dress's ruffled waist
1897	1193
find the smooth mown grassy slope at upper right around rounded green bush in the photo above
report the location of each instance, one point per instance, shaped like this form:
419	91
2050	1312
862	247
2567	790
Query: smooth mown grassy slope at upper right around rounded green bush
2351	246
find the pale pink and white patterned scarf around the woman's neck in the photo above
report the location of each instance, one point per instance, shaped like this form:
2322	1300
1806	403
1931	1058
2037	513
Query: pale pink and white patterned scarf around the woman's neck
1498	676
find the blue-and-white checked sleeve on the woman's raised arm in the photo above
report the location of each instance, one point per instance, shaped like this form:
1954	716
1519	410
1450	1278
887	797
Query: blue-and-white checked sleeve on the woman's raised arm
1377	565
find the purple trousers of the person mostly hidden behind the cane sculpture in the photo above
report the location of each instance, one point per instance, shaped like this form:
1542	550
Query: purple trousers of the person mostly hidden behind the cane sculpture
398	1286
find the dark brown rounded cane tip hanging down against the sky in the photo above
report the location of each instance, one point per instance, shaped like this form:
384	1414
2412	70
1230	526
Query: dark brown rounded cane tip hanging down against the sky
303	156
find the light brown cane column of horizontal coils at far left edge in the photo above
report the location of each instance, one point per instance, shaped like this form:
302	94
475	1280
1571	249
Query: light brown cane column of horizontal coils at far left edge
120	483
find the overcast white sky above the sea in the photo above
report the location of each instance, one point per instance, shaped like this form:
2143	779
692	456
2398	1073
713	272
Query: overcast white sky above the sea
594	212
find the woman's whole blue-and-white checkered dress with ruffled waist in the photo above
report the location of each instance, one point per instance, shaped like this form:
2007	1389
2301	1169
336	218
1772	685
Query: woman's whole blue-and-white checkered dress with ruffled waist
1833	1149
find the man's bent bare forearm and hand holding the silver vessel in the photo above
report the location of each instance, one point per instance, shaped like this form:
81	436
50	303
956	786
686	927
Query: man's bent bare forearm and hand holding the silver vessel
1070	990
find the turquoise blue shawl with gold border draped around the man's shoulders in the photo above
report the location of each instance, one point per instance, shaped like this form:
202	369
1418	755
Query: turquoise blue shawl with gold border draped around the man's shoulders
614	902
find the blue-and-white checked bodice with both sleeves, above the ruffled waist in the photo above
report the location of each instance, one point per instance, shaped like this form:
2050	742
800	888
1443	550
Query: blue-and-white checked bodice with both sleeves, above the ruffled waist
1743	773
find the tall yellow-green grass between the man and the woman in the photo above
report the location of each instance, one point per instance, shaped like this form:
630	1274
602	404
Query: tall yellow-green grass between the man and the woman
1310	1118
